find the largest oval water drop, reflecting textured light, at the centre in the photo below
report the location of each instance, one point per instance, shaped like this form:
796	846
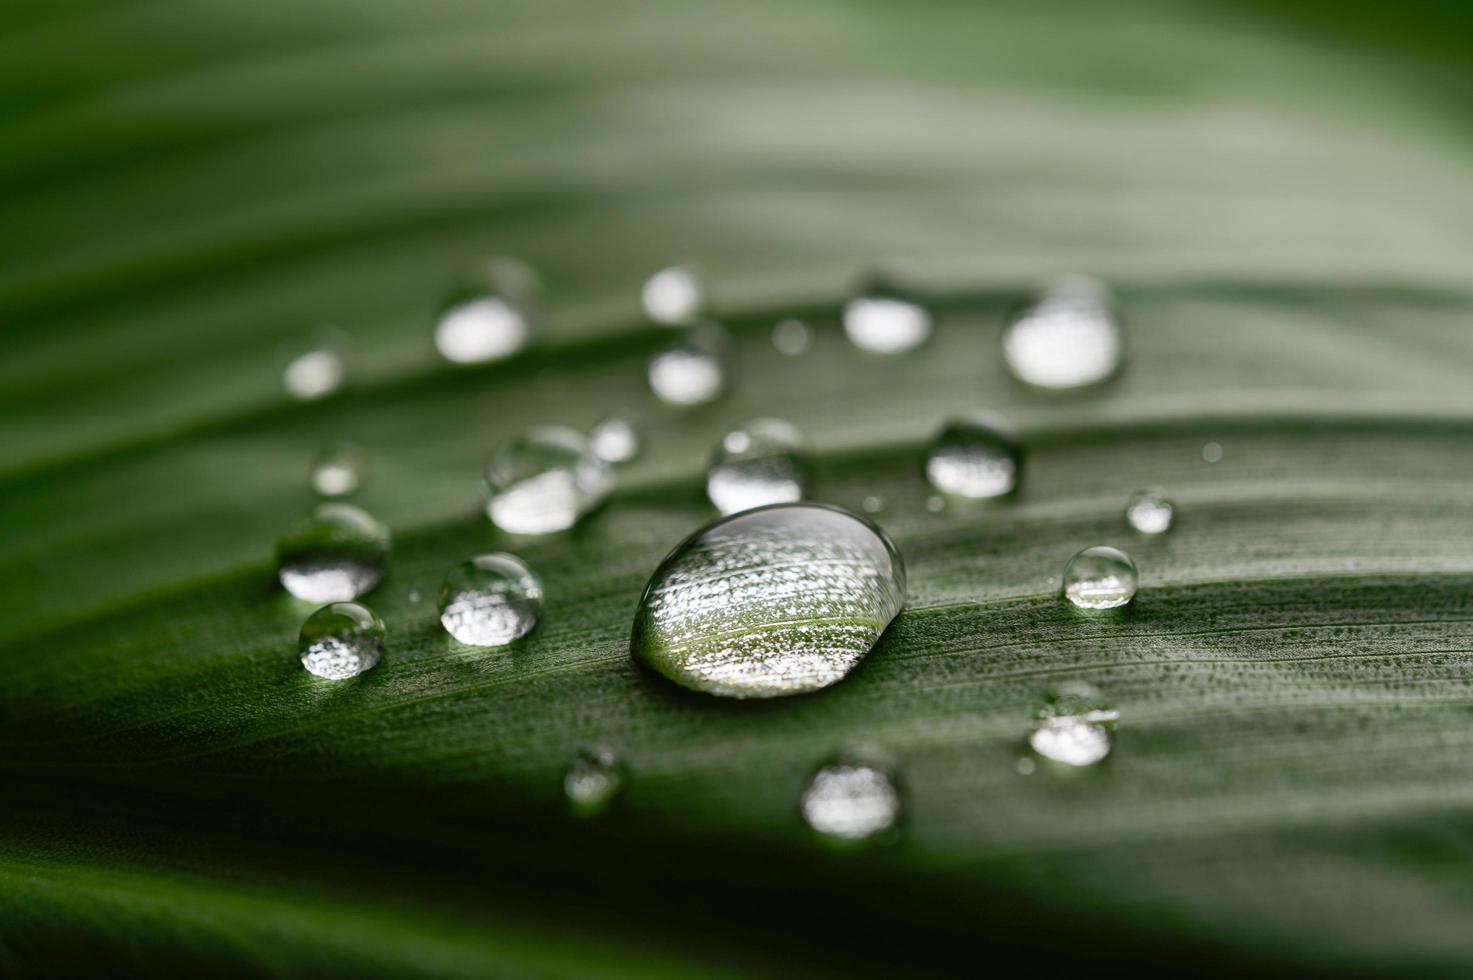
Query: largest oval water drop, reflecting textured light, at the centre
770	602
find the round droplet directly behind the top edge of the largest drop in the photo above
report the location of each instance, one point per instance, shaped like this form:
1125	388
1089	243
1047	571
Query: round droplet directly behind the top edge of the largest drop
762	462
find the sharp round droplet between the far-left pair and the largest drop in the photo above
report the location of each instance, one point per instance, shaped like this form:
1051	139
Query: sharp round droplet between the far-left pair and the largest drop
491	601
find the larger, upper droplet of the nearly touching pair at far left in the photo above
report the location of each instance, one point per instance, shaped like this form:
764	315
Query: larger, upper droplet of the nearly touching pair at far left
337	553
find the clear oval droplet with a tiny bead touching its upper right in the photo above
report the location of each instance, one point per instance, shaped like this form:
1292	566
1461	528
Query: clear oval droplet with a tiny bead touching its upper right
544	481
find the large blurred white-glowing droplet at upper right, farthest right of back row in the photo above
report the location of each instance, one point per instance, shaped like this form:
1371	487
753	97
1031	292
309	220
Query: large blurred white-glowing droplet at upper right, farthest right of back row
1070	338
